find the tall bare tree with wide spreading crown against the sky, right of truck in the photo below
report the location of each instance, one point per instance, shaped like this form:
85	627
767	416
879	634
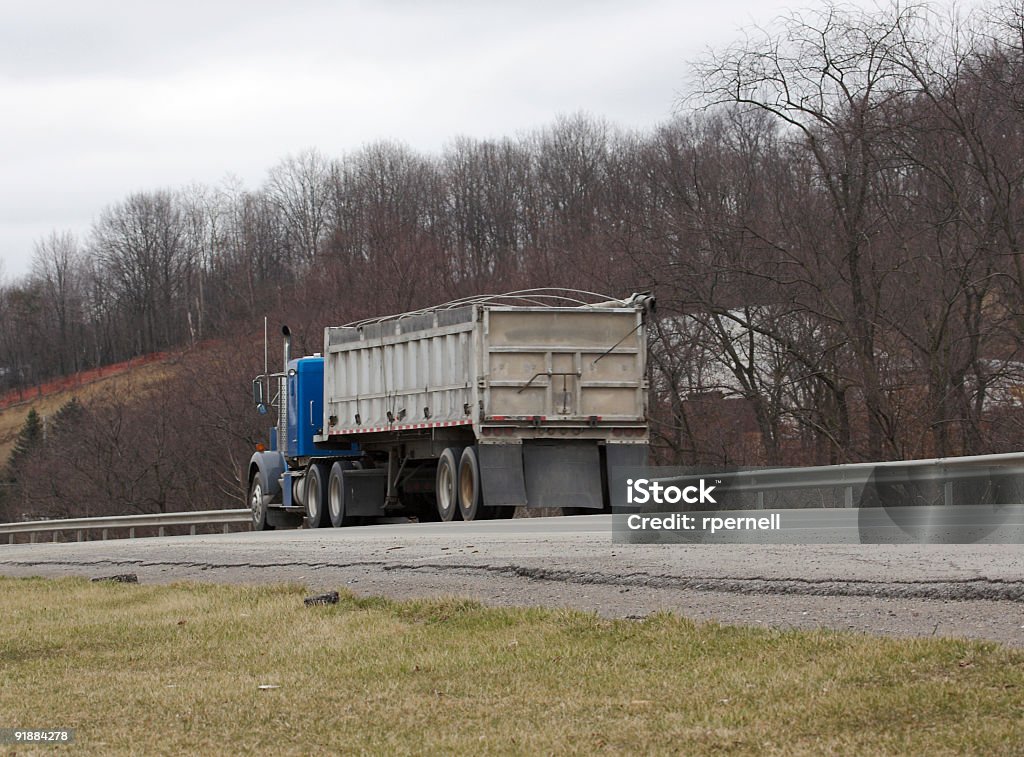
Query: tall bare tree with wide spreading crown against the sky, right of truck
831	80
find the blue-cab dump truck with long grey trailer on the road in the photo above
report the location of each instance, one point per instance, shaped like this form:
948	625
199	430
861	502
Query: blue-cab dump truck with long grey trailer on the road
463	411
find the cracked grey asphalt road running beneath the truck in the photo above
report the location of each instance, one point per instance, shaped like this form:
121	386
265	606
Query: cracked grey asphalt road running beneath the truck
972	592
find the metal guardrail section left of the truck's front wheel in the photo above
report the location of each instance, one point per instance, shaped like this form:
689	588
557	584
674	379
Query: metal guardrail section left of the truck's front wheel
161	521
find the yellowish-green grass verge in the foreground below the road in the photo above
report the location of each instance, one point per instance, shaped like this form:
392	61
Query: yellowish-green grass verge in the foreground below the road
179	669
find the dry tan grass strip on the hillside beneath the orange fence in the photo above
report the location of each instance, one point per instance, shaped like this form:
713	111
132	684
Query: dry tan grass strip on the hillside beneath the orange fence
135	380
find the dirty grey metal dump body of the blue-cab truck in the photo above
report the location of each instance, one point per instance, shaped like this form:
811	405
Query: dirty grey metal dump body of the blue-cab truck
480	365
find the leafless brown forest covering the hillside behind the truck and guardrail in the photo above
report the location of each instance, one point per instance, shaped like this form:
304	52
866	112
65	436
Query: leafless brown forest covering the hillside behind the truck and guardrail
832	225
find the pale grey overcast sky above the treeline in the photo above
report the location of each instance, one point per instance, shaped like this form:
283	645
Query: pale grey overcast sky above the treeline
106	98
